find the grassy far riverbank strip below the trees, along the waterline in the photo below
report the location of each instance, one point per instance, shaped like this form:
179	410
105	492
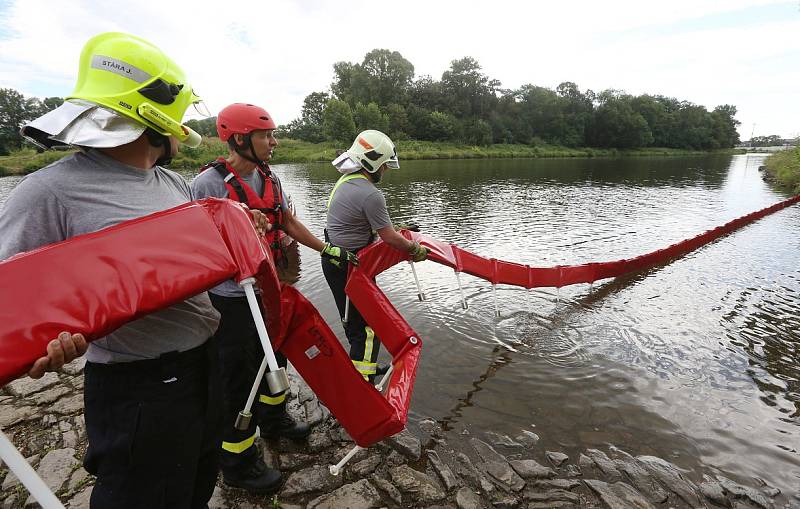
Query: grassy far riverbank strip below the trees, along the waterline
295	151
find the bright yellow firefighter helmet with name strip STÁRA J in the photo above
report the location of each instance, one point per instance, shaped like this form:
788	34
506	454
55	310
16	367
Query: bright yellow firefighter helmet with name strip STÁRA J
131	76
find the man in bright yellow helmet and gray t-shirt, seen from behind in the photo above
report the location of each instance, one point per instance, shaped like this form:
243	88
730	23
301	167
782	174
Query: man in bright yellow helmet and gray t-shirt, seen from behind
151	387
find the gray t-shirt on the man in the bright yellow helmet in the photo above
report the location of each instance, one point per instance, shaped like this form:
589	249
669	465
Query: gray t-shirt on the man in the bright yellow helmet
89	191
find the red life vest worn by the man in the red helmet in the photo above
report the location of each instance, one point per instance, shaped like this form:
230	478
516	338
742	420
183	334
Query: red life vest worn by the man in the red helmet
270	203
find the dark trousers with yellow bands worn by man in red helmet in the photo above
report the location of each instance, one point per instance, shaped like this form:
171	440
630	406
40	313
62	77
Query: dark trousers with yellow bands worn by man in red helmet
241	354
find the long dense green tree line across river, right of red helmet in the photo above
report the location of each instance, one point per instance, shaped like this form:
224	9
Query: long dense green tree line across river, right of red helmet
467	106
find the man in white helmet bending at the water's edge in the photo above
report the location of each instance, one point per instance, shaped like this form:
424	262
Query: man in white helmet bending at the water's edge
356	212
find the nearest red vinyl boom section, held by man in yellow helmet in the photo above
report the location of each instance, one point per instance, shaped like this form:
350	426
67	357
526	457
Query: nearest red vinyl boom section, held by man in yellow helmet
93	284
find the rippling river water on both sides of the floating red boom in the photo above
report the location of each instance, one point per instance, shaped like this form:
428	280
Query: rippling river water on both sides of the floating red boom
695	361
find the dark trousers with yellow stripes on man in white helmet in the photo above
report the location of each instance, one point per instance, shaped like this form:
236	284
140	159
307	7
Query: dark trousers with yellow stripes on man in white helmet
364	345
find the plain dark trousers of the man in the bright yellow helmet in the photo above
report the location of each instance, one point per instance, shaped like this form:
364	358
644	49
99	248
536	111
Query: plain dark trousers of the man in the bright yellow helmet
154	429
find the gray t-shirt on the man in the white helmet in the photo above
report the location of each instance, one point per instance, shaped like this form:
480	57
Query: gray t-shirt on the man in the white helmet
357	209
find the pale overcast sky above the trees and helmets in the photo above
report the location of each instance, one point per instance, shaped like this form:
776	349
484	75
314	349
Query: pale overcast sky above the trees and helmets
274	53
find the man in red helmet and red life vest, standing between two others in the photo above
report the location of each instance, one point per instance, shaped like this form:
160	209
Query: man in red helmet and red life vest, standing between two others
245	176
